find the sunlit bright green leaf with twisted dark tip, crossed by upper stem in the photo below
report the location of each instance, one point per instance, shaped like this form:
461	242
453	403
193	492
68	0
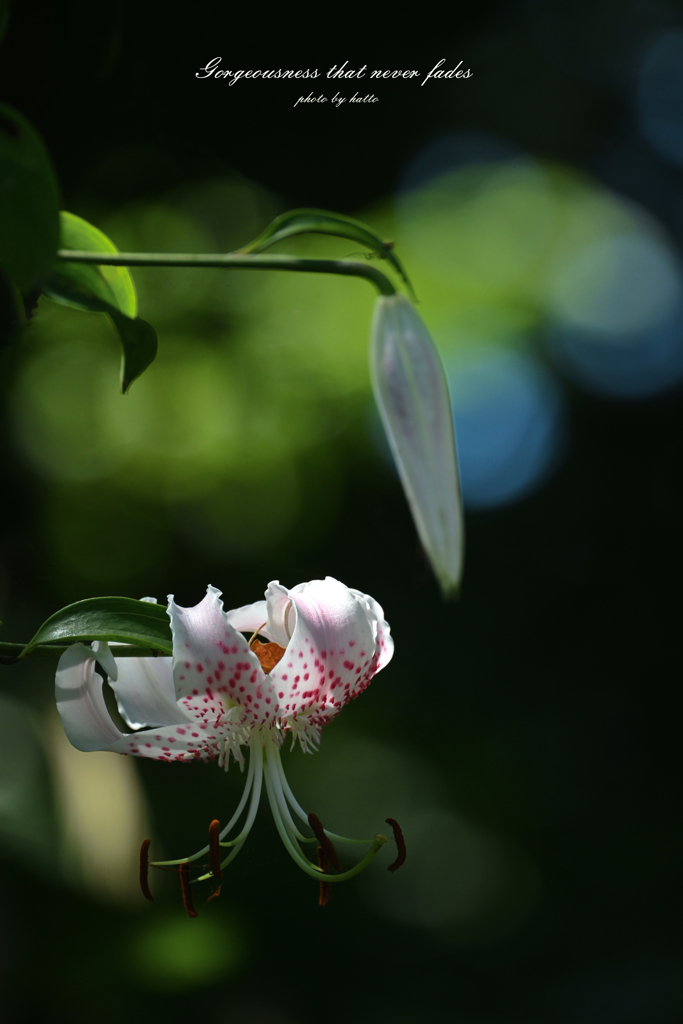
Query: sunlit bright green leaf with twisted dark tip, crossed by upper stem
103	289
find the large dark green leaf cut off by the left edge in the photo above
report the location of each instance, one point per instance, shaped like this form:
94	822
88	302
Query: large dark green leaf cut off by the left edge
30	206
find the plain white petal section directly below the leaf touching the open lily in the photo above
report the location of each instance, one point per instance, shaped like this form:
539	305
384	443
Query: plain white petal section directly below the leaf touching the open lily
146	694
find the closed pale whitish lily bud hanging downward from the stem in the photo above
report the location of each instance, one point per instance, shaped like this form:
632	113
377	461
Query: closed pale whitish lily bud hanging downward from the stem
412	395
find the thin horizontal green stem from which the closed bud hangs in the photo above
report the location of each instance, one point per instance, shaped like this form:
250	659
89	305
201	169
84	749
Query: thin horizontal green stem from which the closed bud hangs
230	262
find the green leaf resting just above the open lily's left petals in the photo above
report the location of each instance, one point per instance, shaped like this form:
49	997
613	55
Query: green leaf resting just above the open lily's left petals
120	619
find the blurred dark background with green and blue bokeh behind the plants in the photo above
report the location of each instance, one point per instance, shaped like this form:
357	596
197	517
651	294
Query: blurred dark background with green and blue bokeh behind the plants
524	737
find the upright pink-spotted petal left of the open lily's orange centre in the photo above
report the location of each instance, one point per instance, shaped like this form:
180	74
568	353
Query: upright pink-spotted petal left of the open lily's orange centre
212	660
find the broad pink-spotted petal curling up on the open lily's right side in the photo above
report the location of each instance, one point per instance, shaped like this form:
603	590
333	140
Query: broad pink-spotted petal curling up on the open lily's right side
333	654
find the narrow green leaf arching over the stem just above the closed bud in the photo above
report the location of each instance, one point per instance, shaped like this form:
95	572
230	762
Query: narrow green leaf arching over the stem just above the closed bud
324	223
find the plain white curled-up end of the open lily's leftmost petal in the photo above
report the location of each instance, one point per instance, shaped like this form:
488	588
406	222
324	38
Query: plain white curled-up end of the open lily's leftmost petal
80	703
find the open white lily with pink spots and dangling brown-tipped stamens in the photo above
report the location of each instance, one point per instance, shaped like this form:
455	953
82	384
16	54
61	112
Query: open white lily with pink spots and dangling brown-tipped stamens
222	694
